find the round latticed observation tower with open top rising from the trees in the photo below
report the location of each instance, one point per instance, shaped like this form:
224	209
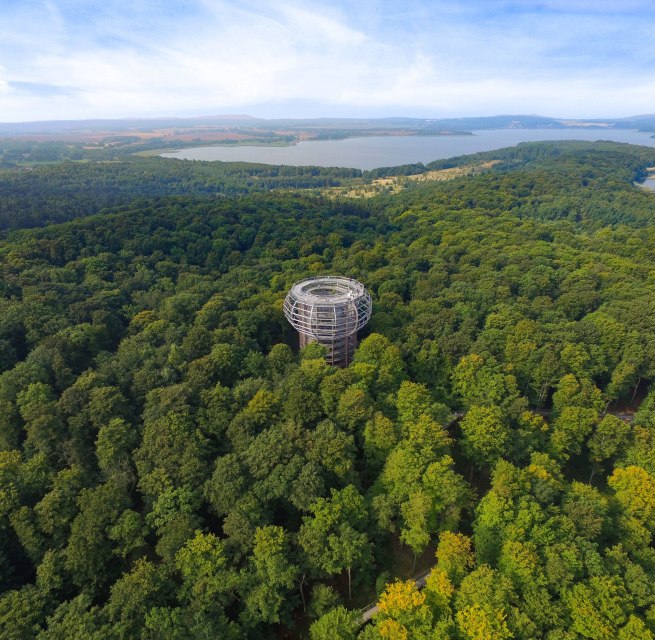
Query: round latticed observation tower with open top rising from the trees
329	310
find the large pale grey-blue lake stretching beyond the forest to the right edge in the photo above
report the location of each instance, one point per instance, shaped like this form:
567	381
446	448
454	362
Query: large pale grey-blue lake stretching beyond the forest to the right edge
389	151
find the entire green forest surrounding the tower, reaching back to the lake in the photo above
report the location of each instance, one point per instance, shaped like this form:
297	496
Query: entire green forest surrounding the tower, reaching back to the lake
172	467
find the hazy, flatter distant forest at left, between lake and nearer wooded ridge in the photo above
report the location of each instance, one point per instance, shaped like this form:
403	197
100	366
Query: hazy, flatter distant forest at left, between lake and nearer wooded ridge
41	194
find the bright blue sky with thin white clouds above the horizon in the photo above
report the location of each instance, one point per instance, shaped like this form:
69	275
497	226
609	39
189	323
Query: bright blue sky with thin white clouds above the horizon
78	59
